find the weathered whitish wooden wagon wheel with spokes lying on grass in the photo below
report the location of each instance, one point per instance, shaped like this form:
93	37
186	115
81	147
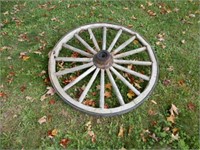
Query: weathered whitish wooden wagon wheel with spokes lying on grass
107	62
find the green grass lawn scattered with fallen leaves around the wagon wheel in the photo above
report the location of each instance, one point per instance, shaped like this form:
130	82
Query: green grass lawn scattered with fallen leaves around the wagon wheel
29	31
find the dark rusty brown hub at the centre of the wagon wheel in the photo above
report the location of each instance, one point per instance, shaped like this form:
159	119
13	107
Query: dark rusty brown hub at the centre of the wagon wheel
103	59
